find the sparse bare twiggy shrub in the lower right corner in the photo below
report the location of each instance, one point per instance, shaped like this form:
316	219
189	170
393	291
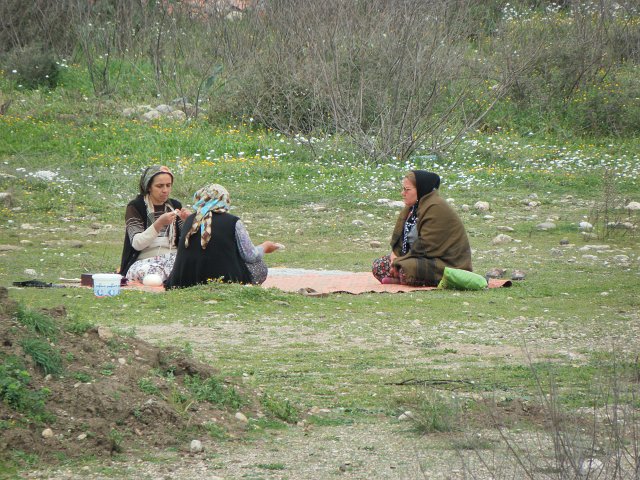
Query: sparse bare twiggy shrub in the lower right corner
601	441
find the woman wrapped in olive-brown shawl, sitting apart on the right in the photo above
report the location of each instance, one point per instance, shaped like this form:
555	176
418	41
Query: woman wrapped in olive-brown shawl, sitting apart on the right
427	237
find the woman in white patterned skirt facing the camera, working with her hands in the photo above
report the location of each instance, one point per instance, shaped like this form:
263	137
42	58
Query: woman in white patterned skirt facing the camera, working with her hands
153	223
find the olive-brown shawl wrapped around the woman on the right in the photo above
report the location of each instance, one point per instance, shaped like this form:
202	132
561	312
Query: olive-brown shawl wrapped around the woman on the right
442	242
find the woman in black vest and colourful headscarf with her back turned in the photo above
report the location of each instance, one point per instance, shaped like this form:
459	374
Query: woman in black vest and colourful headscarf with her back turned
215	245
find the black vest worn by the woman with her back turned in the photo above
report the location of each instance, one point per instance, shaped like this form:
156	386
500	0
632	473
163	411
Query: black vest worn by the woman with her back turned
221	259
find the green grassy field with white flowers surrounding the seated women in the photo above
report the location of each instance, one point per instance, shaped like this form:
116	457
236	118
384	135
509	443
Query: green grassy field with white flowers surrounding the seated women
70	165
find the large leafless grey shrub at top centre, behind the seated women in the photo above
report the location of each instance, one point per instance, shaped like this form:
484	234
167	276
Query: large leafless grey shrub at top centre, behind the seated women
390	75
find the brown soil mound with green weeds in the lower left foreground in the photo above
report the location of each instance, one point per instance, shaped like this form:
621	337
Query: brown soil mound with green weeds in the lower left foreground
115	393
